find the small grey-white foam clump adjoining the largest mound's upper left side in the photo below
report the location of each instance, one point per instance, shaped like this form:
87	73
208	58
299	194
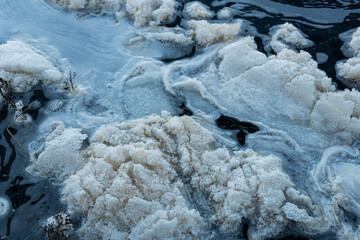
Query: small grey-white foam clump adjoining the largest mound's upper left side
59	157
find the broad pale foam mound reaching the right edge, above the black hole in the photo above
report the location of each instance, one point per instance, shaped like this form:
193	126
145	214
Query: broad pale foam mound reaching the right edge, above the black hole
291	83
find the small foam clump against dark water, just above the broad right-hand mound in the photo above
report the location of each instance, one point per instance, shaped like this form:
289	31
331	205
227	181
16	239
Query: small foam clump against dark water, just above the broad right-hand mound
287	35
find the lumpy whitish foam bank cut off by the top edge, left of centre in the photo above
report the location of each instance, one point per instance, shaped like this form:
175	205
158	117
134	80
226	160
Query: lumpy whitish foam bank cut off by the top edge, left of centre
144	12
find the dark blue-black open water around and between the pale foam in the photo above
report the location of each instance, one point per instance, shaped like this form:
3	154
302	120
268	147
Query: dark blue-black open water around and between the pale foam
35	199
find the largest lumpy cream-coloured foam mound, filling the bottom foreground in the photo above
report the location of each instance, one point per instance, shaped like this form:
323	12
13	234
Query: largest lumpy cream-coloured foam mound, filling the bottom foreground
129	188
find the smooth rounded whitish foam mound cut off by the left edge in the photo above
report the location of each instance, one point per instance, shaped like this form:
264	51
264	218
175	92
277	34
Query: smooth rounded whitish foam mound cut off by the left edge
23	66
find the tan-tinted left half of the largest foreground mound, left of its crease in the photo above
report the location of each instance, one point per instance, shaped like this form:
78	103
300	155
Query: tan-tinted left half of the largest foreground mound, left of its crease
129	189
